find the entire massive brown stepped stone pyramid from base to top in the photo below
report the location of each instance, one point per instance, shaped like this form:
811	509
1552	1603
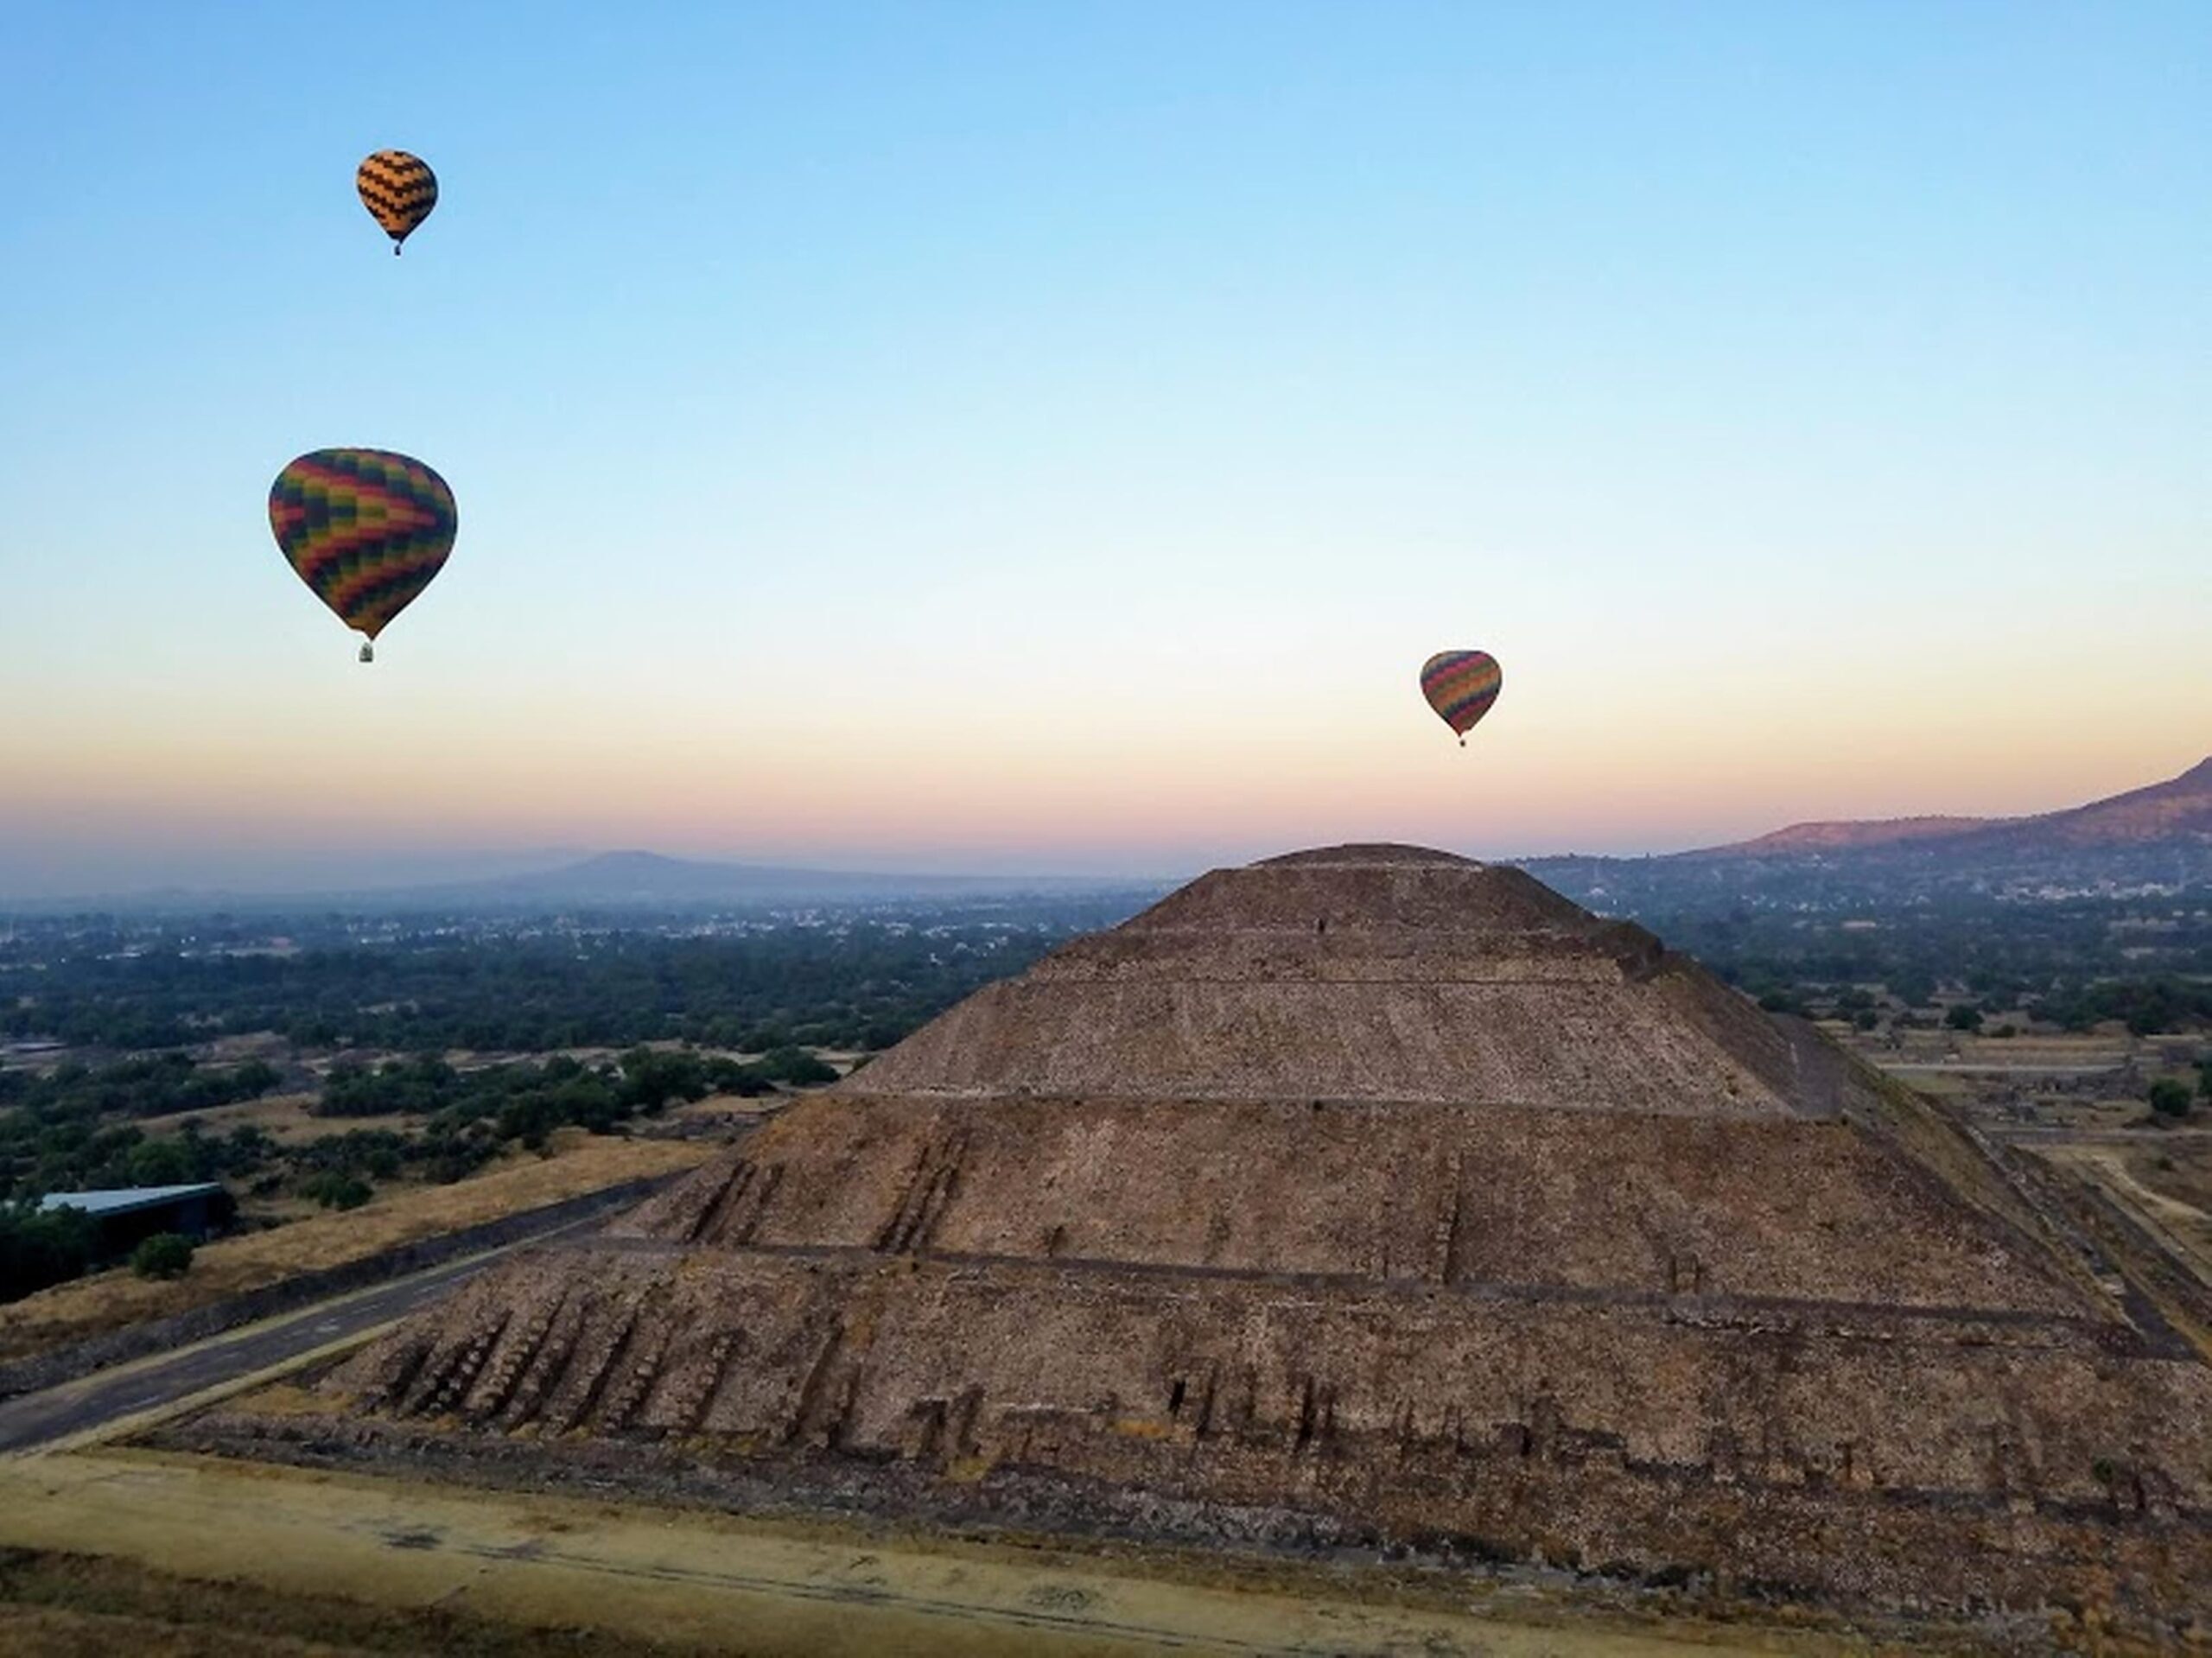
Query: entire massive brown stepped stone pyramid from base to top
1368	1195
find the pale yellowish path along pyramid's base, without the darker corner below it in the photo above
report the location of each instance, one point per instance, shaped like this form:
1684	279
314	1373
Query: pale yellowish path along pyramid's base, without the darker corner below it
722	1582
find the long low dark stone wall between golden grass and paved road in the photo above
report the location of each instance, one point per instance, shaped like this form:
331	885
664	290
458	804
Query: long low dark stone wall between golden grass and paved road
163	1334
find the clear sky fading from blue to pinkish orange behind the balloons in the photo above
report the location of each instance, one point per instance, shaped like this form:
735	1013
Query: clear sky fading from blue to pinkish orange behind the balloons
1054	434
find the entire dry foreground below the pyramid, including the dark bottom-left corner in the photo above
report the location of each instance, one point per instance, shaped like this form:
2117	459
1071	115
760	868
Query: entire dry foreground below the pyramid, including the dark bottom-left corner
366	1564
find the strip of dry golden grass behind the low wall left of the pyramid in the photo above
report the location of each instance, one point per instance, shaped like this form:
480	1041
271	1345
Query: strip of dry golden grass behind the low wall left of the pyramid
397	1217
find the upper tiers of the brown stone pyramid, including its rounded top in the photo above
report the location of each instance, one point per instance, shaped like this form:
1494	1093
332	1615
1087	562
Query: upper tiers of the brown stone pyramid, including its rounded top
1370	974
